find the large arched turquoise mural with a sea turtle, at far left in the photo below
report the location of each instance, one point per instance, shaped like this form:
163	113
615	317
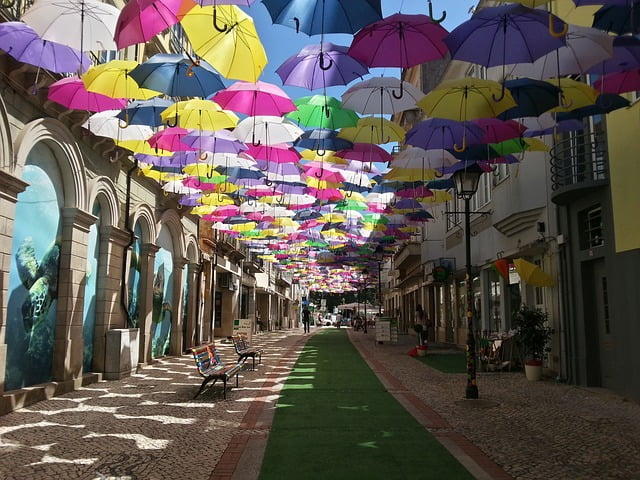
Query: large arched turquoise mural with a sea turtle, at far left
33	275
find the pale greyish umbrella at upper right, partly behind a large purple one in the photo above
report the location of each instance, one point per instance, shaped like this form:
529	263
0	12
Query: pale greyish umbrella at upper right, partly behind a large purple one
586	47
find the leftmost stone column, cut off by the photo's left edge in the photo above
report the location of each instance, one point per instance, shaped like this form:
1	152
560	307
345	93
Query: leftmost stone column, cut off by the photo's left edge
10	187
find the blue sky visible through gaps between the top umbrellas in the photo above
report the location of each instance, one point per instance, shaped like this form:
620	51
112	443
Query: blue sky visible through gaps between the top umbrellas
281	42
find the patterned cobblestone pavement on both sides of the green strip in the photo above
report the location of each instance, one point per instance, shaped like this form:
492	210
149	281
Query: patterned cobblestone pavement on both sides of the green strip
149	426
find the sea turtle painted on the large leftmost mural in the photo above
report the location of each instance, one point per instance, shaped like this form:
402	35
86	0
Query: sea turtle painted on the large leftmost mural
40	279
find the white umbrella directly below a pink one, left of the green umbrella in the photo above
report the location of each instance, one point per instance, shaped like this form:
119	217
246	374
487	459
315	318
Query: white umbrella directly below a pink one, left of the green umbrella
267	130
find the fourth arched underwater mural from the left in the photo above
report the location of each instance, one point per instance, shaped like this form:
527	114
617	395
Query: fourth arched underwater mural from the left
162	296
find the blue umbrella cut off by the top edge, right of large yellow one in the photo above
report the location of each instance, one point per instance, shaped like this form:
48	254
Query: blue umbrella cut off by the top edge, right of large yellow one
324	16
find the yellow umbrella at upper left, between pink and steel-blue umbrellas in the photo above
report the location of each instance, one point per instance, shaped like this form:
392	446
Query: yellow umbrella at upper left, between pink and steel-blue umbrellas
112	79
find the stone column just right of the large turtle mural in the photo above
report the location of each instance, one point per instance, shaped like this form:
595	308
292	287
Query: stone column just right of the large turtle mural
68	343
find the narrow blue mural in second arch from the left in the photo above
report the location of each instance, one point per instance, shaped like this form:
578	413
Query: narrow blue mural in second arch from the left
90	291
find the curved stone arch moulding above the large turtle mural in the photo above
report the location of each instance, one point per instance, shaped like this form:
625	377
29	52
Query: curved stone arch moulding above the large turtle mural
66	151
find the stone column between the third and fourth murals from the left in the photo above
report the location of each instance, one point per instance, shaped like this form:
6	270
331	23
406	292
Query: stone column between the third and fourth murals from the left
145	299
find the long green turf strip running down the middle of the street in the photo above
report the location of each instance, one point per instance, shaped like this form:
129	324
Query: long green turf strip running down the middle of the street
335	420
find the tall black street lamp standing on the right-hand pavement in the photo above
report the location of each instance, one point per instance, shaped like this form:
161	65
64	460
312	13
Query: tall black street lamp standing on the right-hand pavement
466	182
